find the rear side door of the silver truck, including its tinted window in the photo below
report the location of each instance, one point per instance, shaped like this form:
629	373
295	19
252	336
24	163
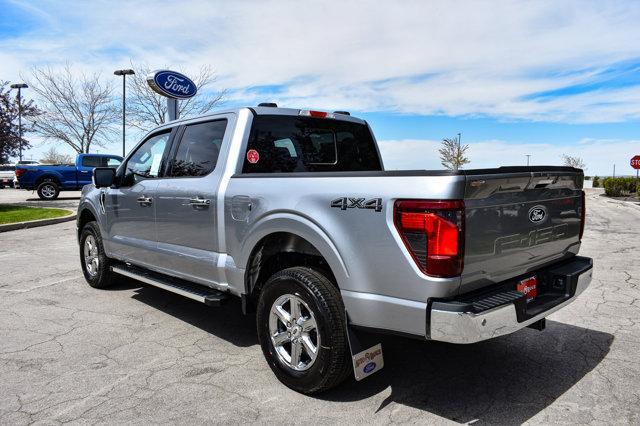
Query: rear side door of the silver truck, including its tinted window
186	216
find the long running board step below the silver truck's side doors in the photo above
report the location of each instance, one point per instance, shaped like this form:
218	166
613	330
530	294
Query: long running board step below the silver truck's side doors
200	293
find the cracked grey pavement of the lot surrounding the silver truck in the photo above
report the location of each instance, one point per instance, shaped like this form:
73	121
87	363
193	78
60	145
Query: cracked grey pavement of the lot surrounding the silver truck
138	355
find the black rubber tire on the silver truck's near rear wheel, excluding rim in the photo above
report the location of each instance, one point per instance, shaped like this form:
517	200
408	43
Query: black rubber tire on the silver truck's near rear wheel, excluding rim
332	364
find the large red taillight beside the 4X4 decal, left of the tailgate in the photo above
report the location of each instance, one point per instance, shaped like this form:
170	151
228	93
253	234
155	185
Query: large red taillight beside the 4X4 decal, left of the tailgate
433	232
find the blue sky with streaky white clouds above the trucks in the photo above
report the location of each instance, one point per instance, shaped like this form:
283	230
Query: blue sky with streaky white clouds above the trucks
515	78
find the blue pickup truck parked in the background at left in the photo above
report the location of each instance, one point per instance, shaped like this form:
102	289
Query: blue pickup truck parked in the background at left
49	180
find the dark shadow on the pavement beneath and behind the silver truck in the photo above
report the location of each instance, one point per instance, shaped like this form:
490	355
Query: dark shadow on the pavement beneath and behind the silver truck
505	380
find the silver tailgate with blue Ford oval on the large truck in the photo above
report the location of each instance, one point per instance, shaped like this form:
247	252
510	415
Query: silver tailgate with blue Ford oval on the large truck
517	220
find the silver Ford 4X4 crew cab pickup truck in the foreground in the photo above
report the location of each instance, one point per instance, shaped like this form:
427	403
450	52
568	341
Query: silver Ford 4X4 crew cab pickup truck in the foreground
292	211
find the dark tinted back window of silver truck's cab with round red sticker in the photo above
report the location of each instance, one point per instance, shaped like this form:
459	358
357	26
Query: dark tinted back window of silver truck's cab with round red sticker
289	144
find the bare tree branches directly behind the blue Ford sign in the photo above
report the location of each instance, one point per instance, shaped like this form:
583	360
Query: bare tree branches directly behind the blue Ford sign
147	109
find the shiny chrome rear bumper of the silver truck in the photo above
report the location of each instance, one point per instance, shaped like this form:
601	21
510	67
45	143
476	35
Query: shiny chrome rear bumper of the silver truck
468	327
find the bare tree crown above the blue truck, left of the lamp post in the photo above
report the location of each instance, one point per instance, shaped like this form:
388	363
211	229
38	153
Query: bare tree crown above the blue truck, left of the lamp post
78	109
